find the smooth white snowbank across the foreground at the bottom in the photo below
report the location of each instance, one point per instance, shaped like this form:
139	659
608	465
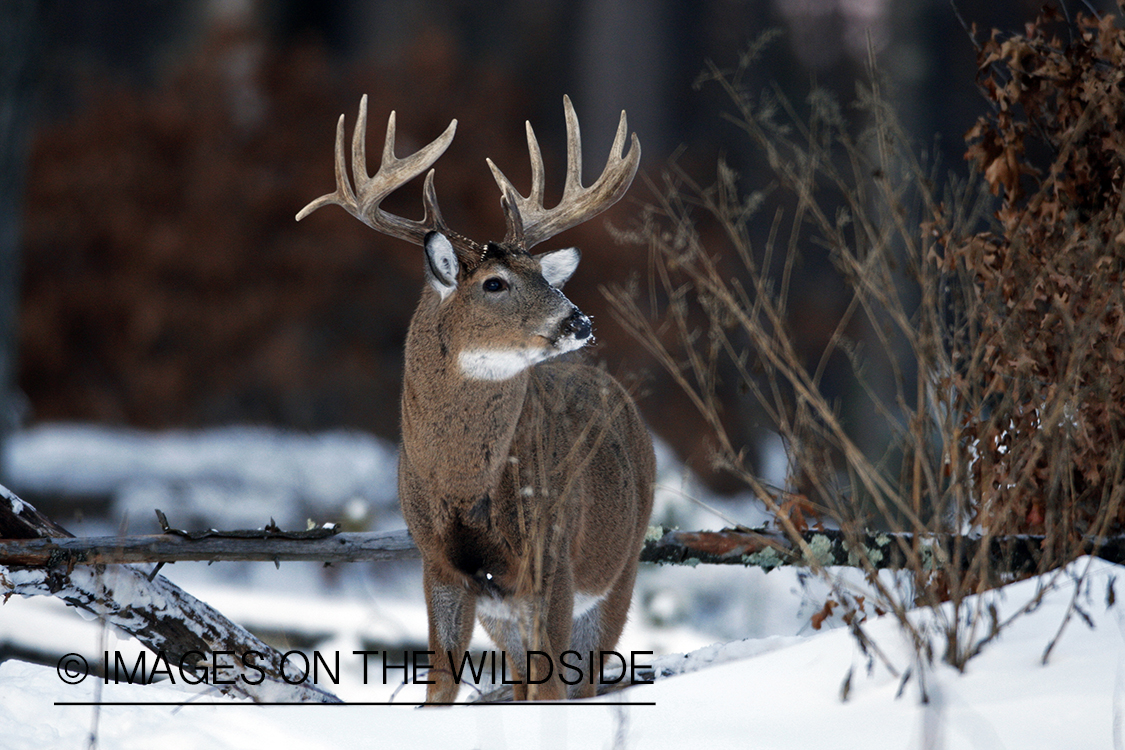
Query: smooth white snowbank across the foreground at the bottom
766	693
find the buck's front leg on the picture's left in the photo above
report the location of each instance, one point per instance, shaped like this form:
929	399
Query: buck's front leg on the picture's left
451	611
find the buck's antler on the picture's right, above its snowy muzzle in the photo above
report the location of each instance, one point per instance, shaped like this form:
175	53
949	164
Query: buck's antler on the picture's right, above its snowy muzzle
529	223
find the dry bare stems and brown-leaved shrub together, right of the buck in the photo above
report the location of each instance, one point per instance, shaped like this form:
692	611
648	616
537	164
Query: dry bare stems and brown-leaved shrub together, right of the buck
984	364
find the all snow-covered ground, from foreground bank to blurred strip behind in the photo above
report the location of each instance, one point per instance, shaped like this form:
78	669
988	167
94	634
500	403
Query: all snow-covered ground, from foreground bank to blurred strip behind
744	667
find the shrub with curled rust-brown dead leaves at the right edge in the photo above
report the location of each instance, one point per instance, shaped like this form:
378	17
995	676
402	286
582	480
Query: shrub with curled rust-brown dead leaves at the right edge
1051	283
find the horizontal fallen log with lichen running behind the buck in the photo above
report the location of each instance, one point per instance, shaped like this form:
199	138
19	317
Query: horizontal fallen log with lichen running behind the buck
752	548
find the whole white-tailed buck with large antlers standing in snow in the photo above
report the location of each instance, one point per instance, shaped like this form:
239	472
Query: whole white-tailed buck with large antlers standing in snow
526	482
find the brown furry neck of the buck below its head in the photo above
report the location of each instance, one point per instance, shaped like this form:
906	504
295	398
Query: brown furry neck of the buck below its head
457	432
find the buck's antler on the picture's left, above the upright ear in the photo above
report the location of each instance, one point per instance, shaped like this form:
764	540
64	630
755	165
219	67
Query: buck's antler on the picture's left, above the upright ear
364	201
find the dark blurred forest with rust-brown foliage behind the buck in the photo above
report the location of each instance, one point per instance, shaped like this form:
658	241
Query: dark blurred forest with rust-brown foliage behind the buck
154	156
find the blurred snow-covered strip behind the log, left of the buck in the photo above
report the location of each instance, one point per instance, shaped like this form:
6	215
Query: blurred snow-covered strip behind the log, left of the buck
241	475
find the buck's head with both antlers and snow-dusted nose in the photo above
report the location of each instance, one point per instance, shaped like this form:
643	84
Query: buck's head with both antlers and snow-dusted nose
512	287
